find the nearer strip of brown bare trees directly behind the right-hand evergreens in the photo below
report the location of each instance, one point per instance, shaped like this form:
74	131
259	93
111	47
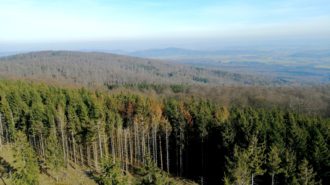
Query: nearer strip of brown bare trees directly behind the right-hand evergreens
311	100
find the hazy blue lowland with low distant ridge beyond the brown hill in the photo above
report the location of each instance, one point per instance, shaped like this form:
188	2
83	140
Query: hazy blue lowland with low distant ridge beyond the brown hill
300	66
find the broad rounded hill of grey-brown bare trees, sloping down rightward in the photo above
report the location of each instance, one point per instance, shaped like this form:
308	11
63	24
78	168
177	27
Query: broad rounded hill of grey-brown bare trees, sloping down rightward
92	68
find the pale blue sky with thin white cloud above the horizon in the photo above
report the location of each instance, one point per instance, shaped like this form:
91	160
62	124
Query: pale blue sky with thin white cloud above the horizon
130	24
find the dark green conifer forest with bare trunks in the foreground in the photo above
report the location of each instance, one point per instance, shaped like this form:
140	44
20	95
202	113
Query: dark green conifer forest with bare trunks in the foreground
136	138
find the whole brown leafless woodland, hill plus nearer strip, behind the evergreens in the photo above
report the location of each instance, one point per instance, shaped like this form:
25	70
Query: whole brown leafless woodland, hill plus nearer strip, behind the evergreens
117	72
